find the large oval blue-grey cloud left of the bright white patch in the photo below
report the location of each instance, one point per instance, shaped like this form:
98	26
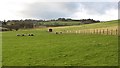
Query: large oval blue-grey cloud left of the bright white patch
49	10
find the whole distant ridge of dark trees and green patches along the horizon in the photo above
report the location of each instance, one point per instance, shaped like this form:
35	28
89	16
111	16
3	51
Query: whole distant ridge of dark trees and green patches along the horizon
29	23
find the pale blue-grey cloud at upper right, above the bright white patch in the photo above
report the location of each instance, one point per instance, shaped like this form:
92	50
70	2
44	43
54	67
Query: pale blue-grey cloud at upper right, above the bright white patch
99	7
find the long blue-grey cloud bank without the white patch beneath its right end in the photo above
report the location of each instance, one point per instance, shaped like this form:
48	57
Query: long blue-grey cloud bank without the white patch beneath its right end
52	10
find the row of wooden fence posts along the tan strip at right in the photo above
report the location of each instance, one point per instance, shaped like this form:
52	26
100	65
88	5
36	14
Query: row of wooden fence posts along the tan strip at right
95	31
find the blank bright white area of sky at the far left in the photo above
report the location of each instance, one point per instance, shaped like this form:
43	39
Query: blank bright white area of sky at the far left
10	8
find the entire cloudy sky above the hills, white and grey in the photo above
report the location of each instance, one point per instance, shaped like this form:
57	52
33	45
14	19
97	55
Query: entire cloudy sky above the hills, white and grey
103	10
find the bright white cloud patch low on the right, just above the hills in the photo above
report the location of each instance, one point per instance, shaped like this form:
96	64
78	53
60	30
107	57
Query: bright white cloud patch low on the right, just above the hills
111	14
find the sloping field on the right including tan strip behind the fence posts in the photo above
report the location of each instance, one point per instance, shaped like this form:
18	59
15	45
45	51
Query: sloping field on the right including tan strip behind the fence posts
111	25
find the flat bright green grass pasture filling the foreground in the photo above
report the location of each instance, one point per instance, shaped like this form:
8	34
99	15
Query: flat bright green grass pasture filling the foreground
50	49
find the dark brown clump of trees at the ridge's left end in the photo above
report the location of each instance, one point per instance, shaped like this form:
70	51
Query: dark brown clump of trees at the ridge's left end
17	24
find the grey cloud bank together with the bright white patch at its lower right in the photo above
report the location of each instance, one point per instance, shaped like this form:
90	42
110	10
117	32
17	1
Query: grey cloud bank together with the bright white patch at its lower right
77	10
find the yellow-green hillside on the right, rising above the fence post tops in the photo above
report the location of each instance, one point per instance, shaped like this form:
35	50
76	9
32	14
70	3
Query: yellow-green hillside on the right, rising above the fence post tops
109	24
